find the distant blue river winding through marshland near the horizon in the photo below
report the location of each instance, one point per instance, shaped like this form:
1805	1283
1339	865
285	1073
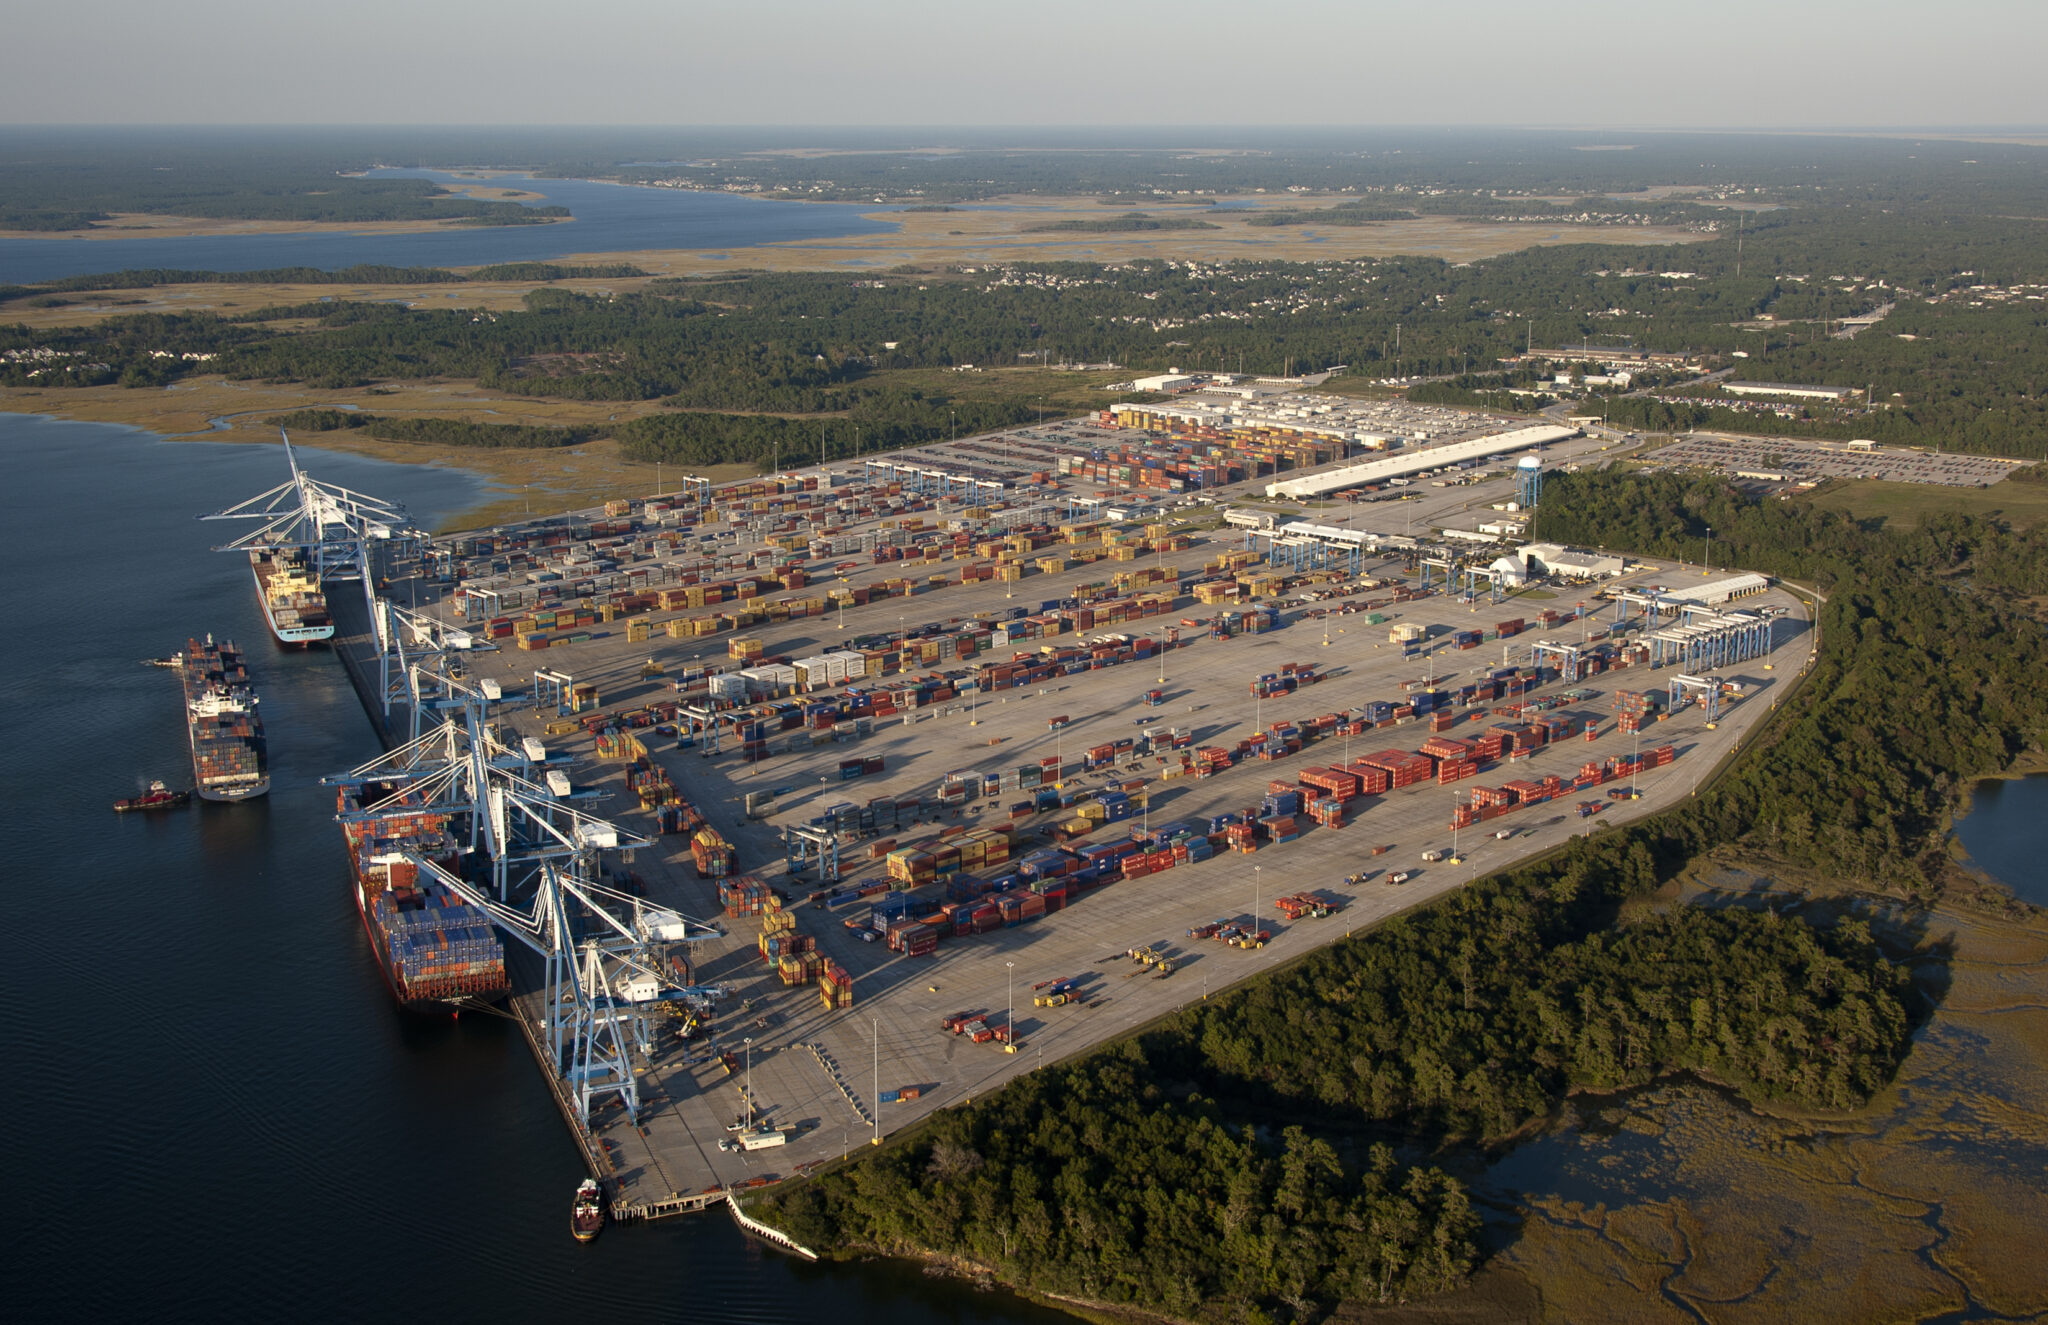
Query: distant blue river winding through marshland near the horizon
609	220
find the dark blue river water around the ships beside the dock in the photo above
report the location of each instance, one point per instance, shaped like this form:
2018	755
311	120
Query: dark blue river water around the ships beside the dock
214	1107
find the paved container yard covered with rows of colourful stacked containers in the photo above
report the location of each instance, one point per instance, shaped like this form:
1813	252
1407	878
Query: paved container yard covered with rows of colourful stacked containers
923	734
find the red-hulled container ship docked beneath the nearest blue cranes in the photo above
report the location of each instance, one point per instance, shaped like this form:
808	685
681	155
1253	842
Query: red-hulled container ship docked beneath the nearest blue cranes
437	953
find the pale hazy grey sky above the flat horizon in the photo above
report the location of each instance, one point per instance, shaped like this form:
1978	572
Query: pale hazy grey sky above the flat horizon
1027	62
